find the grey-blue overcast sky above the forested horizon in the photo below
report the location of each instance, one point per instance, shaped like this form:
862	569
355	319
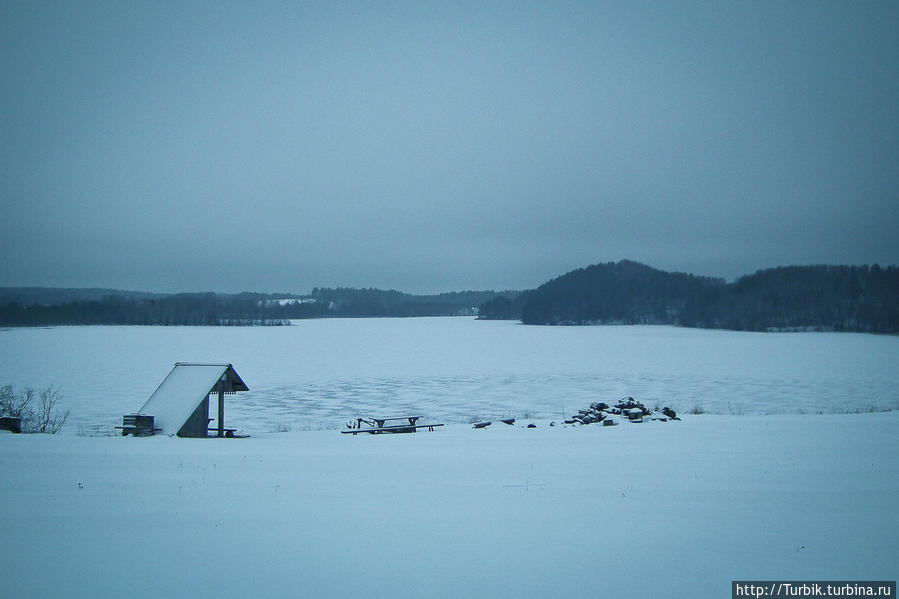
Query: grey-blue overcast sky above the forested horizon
278	146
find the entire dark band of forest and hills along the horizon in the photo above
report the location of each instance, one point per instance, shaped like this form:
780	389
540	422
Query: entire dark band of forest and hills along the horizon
791	298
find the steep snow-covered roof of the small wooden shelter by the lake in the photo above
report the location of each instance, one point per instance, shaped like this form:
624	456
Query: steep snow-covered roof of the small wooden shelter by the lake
185	387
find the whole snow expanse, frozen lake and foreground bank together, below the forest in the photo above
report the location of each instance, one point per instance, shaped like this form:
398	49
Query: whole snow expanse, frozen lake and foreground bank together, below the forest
762	486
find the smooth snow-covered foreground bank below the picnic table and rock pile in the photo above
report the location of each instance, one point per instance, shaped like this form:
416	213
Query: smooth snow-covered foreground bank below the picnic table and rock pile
676	509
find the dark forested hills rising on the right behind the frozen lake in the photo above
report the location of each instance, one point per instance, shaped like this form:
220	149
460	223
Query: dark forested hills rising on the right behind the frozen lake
837	298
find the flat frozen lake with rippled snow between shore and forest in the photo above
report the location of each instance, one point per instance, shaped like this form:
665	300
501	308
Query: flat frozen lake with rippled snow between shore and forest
320	373
